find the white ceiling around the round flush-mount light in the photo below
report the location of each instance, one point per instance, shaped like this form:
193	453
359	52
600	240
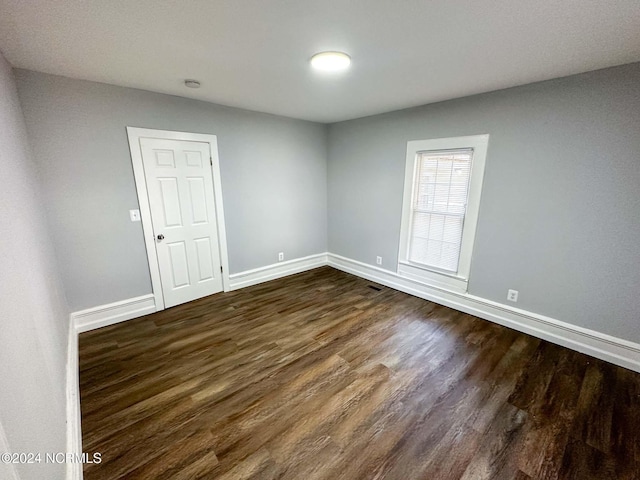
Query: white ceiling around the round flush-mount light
254	53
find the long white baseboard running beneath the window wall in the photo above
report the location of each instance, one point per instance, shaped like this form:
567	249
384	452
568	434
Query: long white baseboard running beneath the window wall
606	347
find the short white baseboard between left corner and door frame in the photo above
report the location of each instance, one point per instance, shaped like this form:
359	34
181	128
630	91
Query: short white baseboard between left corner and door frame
116	312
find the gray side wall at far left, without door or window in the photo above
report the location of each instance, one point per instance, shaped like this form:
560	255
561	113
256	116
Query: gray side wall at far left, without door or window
33	313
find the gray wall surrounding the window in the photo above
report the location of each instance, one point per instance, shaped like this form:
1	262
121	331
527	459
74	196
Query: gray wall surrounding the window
560	212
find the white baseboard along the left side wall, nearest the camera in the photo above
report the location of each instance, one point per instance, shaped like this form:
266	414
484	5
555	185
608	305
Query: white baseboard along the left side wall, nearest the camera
74	428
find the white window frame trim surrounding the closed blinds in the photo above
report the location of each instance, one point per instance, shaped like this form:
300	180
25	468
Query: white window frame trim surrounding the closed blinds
432	275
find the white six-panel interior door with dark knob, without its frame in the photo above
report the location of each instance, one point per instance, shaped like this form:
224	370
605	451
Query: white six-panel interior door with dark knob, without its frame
182	205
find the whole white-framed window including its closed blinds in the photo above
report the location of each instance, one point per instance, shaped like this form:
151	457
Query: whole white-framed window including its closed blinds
442	189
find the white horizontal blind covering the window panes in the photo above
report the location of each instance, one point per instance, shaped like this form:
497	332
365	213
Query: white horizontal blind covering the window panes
438	208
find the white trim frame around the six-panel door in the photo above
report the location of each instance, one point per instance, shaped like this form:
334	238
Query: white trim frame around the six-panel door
134	135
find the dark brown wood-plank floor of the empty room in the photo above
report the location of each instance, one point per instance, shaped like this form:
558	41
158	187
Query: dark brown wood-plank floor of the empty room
323	375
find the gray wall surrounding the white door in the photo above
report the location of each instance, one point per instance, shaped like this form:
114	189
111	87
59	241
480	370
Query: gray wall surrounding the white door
273	180
